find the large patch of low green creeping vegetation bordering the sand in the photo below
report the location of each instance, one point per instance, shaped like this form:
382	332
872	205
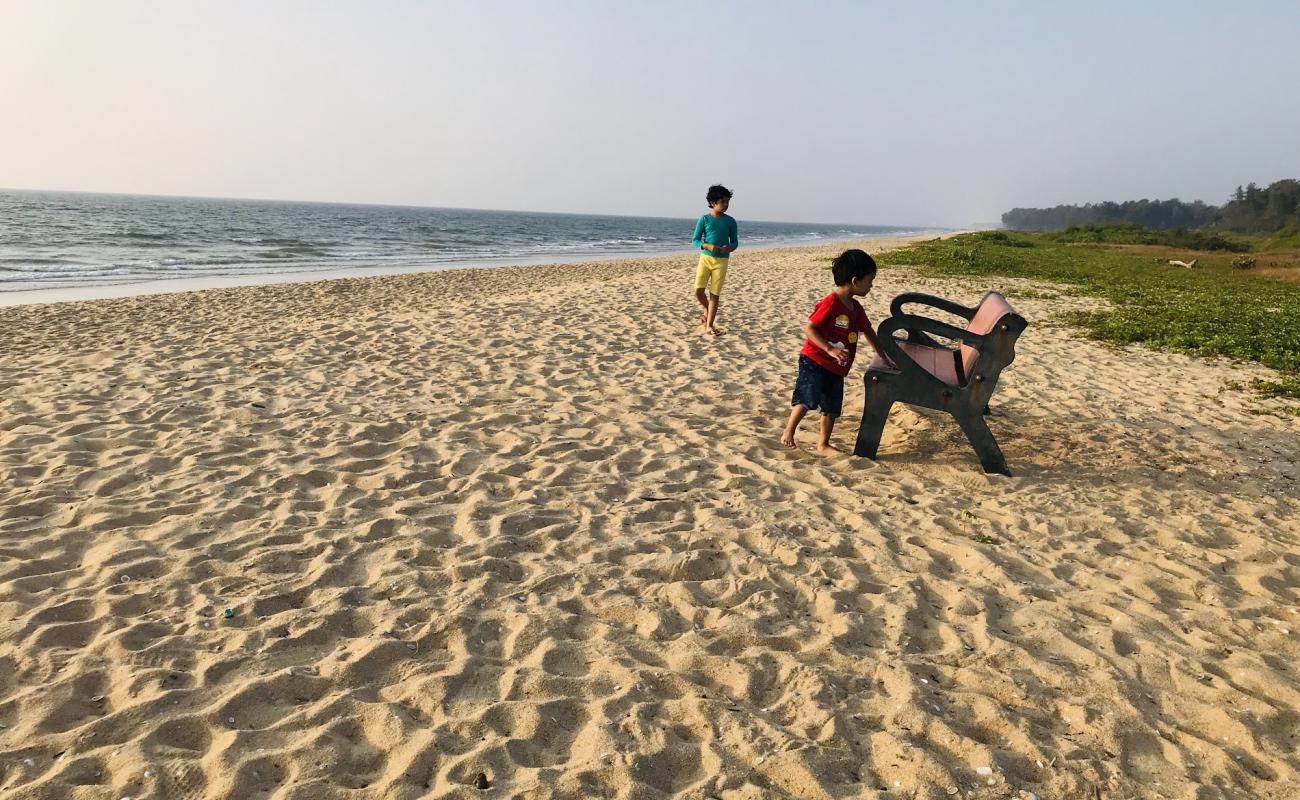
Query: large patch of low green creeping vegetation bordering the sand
1214	310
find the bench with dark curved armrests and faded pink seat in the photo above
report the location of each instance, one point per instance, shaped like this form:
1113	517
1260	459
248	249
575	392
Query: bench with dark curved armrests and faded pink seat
959	380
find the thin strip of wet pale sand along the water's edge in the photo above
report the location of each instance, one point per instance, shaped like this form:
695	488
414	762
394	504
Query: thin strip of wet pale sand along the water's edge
101	292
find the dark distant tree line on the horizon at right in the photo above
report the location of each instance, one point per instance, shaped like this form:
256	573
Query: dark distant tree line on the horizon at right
1251	210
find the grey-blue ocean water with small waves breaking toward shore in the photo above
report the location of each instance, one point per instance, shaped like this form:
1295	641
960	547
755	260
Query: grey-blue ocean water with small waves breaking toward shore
71	240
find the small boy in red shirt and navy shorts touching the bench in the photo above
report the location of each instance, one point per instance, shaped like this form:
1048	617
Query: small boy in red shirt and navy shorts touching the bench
833	341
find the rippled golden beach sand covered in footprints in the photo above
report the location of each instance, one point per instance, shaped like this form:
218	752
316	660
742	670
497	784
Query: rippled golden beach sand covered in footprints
526	522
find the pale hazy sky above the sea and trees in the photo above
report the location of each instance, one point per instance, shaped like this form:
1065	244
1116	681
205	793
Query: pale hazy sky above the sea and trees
844	113
